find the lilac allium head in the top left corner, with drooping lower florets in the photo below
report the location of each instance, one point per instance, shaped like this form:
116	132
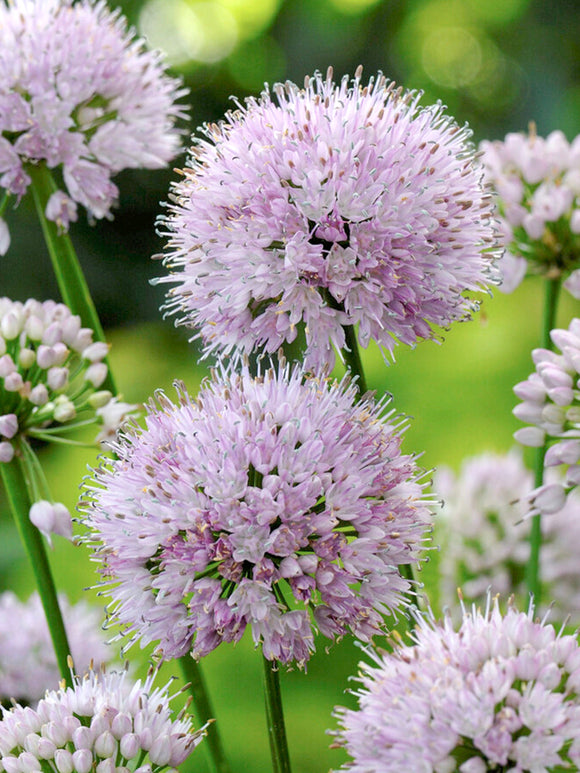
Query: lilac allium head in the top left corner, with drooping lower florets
80	93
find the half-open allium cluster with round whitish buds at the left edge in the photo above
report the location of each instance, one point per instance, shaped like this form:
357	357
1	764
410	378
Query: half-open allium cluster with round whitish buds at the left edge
50	372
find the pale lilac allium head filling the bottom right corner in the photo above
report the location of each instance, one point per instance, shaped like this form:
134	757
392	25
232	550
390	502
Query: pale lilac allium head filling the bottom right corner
501	693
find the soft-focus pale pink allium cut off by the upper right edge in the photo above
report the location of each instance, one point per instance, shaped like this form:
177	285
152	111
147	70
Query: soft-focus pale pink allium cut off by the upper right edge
537	183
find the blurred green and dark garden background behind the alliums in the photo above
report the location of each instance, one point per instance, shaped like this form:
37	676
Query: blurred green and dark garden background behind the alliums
497	64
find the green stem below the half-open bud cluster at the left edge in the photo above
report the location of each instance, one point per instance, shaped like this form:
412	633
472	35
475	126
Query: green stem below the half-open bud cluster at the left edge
16	489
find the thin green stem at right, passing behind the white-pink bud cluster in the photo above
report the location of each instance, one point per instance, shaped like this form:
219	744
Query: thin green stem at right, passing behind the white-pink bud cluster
532	573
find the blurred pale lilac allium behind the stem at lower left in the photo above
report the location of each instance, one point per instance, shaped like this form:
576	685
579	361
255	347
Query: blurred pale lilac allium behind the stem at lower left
27	662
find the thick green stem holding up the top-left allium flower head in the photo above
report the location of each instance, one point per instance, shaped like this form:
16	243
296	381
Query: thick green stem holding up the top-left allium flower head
67	268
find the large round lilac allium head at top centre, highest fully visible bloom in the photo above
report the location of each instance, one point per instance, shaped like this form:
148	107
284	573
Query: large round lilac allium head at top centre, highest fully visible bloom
328	206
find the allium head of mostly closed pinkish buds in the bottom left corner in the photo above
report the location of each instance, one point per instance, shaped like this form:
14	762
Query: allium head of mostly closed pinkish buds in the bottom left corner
102	723
